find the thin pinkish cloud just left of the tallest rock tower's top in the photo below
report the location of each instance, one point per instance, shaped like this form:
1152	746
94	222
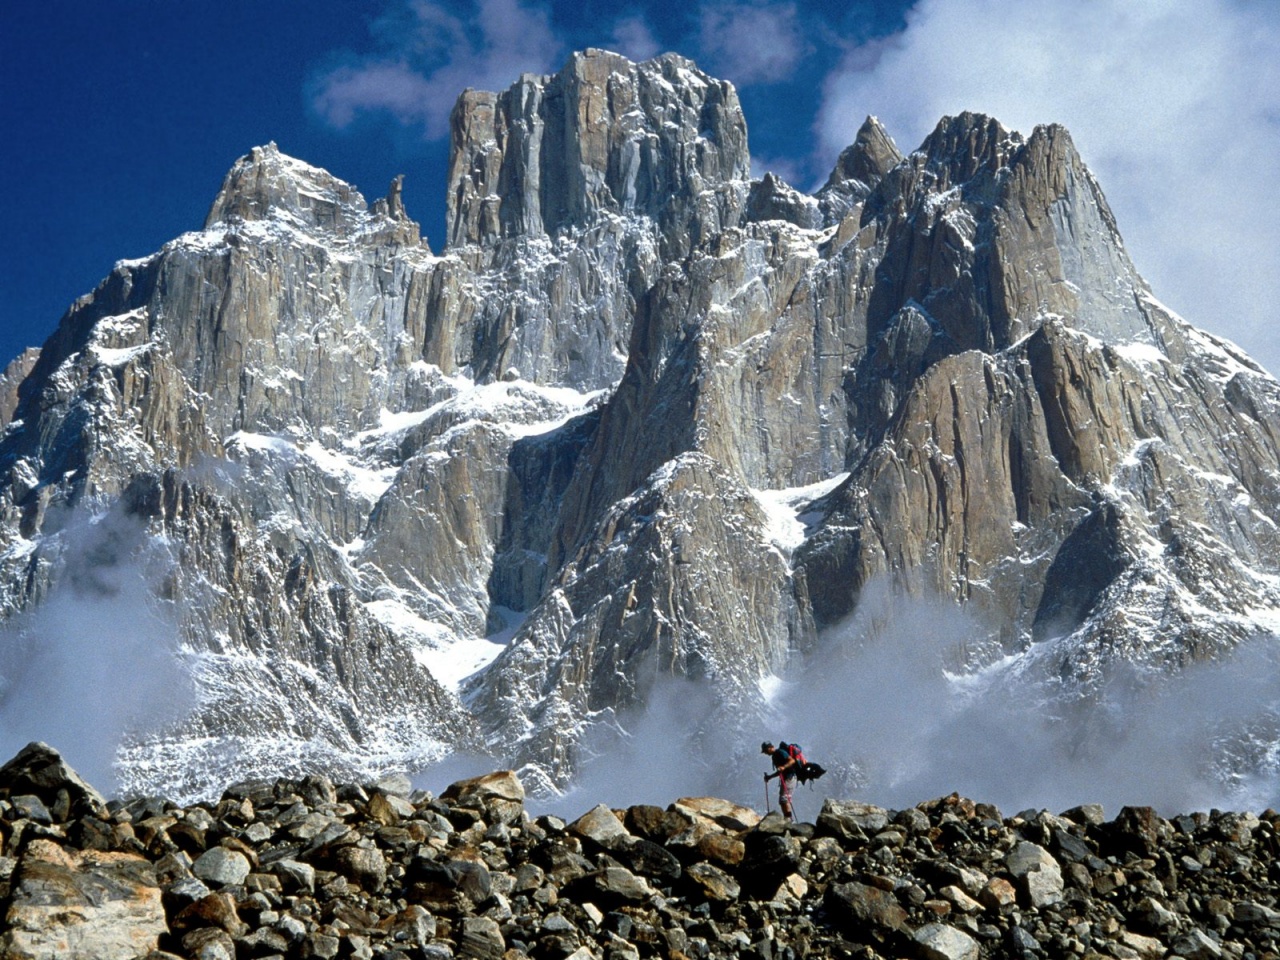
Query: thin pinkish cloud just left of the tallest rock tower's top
431	56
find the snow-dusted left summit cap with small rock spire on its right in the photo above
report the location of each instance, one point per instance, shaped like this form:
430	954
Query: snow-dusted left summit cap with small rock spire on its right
267	184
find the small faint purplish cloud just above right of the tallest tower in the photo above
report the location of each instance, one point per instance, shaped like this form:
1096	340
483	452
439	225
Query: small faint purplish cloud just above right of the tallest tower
757	43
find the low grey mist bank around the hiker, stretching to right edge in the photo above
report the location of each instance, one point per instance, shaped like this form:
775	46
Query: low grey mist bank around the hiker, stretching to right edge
890	705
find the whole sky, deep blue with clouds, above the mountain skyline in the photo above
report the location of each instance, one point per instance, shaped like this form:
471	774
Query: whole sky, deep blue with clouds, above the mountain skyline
122	117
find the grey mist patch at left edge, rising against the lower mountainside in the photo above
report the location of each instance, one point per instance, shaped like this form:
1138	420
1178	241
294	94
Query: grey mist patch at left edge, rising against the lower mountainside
100	657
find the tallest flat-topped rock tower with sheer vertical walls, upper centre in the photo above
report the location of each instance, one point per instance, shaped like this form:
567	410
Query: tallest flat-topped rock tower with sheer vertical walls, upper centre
605	135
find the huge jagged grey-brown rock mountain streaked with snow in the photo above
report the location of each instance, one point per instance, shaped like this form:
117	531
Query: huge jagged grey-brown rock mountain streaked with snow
643	418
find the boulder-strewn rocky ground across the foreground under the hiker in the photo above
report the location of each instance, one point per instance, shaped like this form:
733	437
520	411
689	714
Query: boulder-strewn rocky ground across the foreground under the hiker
312	870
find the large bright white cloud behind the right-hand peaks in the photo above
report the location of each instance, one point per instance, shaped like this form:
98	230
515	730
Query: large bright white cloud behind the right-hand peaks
1174	104
